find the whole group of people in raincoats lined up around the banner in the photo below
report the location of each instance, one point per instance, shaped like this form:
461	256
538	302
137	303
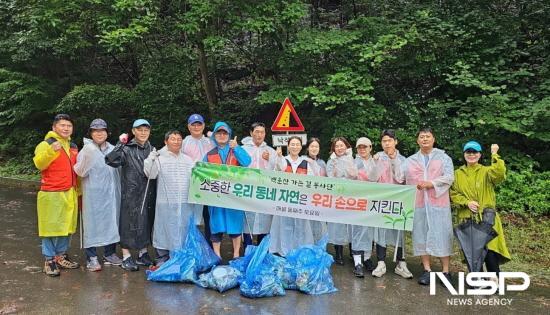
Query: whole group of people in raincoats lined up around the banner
136	196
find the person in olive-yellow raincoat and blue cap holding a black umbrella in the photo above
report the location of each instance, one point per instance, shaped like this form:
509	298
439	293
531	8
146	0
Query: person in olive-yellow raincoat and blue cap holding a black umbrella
474	190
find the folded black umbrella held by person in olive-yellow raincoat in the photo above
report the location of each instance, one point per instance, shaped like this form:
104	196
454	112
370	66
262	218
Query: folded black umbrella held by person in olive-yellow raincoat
473	237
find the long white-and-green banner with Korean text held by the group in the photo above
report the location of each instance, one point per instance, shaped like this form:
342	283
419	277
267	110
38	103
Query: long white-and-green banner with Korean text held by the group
305	197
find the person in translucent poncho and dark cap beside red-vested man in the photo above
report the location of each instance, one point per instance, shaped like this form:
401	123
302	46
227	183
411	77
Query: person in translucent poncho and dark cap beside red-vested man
100	197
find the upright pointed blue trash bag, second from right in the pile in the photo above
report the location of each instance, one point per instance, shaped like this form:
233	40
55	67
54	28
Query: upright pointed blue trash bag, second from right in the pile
263	276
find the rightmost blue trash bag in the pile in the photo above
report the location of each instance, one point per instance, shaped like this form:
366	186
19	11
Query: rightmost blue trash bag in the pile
307	269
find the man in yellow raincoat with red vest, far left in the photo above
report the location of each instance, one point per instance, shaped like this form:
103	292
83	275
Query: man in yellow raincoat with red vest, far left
57	200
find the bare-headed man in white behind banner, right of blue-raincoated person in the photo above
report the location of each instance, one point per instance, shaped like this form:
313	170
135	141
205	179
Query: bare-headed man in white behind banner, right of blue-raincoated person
263	157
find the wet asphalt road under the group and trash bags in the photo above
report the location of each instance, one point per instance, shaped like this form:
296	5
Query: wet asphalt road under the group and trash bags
25	289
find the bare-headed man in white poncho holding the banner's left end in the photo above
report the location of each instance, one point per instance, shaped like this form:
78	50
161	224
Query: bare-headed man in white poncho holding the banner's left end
172	169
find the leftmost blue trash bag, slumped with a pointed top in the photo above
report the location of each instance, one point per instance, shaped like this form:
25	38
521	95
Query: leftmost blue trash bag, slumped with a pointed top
186	263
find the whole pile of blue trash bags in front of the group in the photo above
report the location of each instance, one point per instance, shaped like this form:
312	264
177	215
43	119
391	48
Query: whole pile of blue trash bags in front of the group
257	274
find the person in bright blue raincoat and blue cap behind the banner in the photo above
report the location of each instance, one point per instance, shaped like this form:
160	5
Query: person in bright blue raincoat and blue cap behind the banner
224	220
